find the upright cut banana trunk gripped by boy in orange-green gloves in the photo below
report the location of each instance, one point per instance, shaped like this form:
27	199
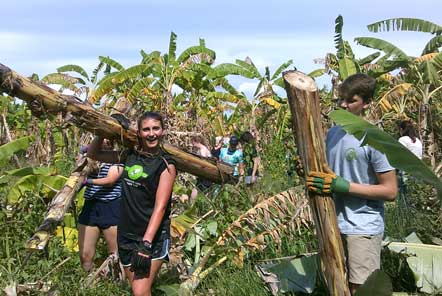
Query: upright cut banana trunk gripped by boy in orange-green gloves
303	97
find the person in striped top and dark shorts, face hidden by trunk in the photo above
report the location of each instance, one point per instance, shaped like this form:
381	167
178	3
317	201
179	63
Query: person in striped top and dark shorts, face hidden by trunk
100	212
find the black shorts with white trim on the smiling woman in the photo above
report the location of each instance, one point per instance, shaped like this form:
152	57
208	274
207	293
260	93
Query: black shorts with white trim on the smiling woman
160	248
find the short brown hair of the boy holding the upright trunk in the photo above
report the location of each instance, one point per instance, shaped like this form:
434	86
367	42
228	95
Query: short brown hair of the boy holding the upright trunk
358	84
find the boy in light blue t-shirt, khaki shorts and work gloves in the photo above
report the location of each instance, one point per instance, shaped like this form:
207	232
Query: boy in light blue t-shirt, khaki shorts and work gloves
361	179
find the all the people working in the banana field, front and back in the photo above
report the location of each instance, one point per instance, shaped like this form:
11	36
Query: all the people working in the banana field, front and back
129	199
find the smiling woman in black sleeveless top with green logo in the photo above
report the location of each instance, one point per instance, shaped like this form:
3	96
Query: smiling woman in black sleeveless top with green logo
147	183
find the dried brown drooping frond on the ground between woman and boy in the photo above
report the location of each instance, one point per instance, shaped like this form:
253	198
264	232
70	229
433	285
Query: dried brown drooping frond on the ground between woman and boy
287	210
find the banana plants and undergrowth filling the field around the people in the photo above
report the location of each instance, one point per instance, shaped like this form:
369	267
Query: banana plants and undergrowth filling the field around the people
233	228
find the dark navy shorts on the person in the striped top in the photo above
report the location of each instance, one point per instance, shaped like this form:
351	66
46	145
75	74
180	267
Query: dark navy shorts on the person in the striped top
102	214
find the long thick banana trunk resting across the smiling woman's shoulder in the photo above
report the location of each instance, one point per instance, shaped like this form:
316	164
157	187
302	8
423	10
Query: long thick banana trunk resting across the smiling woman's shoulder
43	100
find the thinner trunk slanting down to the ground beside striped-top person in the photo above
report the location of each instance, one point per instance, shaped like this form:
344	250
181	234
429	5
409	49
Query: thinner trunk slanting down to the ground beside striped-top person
58	206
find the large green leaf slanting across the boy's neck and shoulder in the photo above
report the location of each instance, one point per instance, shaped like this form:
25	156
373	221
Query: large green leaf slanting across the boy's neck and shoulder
398	155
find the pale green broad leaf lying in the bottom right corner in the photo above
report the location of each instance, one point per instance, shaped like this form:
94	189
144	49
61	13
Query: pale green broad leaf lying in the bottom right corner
426	263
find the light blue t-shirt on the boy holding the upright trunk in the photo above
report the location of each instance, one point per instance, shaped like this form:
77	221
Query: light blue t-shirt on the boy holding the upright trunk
357	164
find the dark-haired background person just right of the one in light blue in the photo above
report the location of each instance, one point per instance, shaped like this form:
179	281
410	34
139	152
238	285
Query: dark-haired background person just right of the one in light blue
250	157
